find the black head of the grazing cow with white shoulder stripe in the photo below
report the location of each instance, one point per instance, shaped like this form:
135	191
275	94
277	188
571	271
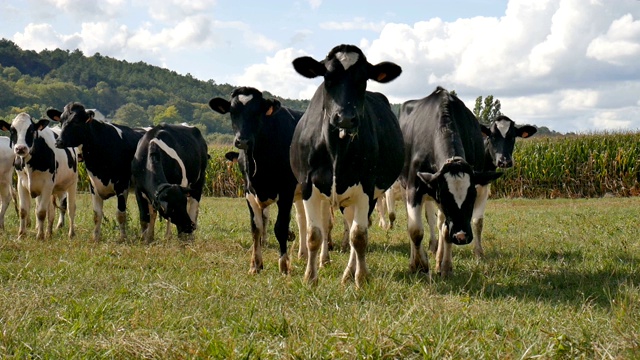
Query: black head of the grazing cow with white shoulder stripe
170	201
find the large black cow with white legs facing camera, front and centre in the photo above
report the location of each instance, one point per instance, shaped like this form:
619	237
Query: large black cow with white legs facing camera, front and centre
346	150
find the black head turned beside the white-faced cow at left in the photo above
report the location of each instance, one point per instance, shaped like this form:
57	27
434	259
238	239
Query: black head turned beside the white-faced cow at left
74	120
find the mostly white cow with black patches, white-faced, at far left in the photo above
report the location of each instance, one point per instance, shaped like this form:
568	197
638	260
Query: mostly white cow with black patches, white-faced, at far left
44	172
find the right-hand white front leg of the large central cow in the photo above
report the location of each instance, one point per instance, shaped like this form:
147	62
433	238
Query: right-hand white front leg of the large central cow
358	239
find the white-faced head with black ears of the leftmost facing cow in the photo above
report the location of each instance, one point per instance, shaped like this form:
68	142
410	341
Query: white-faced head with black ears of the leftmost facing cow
23	131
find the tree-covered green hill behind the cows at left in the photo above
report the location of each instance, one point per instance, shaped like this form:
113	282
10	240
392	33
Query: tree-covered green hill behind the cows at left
135	94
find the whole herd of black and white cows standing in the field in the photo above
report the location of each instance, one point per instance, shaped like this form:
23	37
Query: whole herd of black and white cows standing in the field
344	152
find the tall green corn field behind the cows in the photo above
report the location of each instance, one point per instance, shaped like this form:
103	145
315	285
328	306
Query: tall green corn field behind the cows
579	166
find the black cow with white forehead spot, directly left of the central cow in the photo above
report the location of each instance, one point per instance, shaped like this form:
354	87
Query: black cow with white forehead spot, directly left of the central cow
263	130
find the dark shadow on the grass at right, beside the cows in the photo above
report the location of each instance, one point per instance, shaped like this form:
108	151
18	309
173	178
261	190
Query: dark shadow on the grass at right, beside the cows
553	277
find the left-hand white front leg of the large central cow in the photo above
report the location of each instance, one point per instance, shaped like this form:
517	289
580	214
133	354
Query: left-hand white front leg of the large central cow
316	232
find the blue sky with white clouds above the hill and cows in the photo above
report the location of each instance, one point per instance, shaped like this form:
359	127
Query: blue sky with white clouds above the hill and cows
569	65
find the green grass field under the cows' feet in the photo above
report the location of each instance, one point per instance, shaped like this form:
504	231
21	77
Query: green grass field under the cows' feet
561	279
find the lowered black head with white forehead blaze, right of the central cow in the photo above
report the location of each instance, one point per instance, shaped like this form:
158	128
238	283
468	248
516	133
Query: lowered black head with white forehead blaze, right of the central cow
454	188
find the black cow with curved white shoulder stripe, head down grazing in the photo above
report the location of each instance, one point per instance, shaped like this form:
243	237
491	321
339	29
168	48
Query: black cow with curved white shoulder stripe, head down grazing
168	169
